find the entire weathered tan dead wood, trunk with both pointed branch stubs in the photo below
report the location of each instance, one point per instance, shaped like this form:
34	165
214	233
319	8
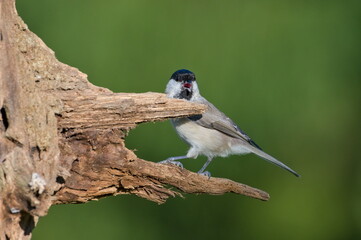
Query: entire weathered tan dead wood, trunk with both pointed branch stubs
62	138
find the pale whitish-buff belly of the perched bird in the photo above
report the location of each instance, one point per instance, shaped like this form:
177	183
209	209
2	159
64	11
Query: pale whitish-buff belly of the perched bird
203	140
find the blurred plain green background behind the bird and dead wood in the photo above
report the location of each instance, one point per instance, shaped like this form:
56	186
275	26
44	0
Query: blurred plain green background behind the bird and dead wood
288	72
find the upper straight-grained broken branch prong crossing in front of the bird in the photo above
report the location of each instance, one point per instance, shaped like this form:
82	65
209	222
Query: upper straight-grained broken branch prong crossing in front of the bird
97	110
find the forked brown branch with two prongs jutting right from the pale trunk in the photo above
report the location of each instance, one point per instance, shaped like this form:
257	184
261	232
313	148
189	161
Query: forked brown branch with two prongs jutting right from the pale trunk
93	127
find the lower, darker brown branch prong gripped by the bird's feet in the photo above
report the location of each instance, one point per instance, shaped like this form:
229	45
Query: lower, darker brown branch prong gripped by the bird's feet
111	169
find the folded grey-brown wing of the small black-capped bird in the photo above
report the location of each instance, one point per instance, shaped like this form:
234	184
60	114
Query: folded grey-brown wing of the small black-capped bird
215	119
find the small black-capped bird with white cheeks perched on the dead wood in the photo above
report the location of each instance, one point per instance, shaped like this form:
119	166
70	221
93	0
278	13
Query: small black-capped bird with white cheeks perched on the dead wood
212	133
